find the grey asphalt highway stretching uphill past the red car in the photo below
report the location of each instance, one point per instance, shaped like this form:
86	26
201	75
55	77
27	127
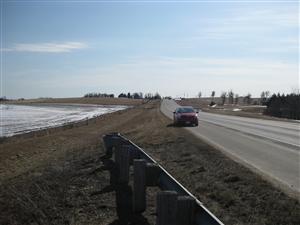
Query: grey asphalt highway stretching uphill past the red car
269	147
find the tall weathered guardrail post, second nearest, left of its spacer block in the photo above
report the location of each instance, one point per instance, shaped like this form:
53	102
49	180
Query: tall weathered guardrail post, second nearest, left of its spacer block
139	185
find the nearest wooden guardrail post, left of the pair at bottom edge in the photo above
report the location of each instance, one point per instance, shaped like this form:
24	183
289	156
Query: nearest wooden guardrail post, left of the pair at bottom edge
166	208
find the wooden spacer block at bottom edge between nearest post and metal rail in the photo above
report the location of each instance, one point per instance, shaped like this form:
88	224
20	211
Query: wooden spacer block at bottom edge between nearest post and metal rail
185	210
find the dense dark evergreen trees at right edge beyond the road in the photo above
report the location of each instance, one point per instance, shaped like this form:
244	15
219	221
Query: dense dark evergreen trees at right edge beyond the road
284	106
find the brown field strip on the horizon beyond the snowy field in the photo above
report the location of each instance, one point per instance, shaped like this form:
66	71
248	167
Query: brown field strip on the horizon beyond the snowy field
96	101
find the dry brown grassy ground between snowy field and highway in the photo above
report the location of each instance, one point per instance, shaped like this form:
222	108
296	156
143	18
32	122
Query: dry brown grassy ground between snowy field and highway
62	177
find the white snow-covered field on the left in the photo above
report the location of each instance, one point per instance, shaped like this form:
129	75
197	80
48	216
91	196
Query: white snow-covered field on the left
16	119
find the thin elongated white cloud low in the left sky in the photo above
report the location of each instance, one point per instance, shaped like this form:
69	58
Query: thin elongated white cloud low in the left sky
47	47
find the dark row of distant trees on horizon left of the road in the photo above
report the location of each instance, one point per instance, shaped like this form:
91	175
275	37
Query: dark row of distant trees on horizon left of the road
136	95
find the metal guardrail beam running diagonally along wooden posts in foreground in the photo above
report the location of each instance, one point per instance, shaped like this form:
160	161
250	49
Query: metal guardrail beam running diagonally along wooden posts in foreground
202	216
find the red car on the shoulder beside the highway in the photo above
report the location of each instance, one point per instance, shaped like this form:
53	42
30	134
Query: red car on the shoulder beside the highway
185	115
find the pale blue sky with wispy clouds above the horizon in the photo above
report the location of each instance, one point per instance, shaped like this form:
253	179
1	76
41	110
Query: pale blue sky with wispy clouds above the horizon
176	48
